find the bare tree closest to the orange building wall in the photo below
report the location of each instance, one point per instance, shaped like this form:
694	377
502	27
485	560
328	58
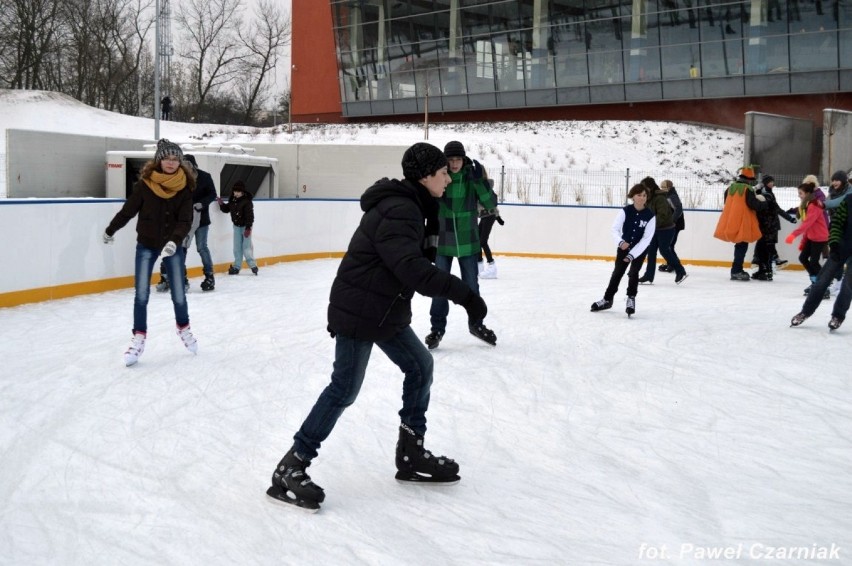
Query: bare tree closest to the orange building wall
264	40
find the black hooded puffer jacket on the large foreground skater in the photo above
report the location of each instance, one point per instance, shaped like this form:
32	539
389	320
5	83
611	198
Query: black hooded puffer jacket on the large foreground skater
385	264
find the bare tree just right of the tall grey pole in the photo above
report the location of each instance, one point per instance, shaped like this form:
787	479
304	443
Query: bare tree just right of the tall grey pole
214	48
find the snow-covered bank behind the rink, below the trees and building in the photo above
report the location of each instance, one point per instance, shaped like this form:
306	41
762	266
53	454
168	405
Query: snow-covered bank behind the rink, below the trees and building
706	154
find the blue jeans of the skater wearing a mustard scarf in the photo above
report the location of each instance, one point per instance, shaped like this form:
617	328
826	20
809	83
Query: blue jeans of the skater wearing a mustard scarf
145	258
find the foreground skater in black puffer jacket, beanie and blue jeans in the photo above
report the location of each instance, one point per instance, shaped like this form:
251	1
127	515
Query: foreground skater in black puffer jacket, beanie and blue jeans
370	304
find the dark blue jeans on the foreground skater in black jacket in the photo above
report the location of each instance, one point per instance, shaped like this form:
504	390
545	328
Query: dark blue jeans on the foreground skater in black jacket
350	366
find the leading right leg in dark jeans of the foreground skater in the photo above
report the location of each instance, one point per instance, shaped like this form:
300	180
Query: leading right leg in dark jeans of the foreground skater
416	363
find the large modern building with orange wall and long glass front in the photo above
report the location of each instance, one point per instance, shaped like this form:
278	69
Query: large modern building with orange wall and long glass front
686	60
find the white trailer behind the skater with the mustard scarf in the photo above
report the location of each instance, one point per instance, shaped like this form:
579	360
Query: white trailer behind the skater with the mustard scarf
225	163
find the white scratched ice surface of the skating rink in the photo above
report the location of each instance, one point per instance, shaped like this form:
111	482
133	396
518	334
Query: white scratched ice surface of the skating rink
583	438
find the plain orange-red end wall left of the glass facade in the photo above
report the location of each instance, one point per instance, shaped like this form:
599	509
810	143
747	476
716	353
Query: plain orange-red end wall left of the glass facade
314	89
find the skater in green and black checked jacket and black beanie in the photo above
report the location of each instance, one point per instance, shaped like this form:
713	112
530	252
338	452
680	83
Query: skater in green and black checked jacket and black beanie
458	235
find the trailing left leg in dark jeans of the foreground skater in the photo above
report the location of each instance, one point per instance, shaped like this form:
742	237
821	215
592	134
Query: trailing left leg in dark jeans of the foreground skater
350	366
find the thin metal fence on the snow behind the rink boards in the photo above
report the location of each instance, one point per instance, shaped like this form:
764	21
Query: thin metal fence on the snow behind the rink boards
609	188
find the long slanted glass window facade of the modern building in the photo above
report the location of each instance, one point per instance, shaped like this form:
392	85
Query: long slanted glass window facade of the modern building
476	54
